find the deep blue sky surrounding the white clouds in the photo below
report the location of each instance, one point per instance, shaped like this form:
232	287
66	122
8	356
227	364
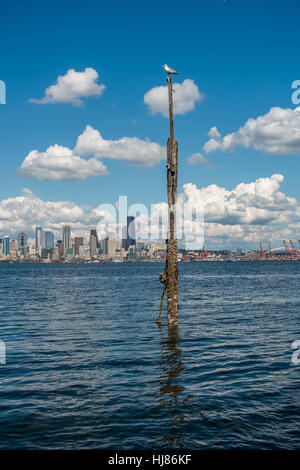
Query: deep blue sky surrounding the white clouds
242	55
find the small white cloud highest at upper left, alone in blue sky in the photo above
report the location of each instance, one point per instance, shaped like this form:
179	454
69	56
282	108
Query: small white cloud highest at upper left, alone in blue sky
72	87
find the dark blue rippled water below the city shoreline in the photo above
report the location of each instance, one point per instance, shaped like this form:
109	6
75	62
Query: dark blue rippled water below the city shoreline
87	366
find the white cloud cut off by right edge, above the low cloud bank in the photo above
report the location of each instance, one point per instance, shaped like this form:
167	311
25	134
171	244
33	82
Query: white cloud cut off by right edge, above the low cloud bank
277	132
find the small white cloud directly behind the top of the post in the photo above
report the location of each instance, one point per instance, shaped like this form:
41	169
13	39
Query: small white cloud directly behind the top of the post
185	97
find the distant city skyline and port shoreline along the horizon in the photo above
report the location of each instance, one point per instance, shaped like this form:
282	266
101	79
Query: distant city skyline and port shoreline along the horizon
70	247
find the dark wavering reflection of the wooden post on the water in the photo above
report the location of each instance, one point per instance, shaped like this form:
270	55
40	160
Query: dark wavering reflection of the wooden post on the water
171	390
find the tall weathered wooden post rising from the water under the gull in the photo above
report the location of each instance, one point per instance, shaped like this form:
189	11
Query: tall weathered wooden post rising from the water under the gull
170	277
